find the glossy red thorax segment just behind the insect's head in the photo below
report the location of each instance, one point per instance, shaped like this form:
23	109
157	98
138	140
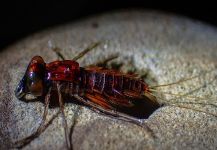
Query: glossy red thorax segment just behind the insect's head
66	70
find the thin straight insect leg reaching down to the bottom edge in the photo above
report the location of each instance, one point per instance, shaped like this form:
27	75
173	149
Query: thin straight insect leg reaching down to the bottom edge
63	117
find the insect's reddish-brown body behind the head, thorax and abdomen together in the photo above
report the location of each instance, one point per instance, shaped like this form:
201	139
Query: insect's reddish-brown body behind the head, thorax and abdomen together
102	89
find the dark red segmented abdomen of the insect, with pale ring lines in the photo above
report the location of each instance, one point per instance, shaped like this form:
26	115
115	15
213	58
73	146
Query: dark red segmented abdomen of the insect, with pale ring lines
112	83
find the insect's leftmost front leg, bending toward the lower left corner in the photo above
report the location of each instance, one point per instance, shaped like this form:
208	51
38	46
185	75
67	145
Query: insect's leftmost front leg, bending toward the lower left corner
41	128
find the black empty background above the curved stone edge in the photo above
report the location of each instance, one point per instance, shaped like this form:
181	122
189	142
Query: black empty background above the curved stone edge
21	18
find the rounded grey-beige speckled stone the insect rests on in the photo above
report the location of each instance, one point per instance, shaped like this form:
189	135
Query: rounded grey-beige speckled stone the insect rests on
166	47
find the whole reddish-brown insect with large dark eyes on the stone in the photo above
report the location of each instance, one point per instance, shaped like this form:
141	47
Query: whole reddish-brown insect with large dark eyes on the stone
110	92
